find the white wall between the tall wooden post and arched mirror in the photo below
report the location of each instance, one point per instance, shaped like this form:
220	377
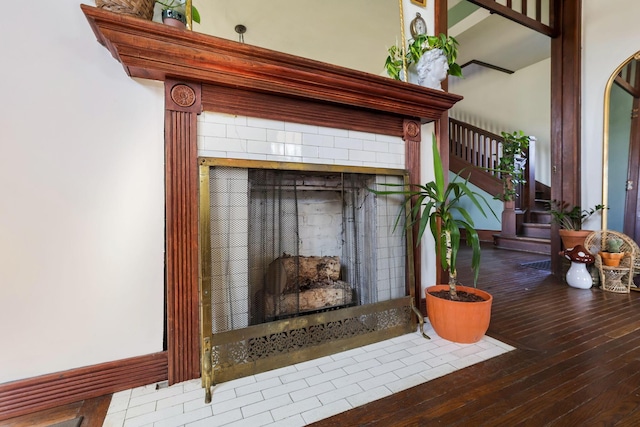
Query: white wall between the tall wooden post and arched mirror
610	37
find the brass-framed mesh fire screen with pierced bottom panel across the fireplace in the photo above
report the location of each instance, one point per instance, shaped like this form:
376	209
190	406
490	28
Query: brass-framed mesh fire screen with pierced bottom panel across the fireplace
297	262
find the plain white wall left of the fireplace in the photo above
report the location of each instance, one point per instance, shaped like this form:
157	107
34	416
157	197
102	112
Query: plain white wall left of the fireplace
81	217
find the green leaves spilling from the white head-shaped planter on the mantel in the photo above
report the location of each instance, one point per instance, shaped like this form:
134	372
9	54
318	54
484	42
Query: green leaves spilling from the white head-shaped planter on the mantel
417	48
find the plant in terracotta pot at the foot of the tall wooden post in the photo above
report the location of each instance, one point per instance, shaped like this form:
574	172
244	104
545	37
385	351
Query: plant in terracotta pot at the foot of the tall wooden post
570	220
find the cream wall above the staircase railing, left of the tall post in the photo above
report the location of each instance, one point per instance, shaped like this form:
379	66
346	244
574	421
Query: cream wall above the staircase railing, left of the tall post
496	101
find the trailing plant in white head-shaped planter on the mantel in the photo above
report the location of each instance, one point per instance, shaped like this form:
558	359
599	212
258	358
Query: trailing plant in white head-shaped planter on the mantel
428	49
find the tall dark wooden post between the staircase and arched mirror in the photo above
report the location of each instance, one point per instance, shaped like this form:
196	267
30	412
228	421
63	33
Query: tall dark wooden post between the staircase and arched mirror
565	113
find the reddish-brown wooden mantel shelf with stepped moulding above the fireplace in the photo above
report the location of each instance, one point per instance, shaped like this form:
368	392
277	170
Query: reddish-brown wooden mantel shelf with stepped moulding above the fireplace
155	51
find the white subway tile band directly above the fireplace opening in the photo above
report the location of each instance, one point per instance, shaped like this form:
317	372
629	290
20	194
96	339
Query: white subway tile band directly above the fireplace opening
239	137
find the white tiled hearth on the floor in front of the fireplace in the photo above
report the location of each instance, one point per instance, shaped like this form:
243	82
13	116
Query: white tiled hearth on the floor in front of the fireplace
303	393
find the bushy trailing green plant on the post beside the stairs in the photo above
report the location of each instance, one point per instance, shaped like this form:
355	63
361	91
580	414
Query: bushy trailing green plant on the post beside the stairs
511	164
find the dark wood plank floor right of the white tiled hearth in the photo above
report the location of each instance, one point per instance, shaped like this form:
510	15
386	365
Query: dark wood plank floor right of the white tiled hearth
575	364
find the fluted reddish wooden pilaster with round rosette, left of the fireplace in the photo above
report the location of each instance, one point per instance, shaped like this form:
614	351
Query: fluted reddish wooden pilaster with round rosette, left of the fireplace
182	105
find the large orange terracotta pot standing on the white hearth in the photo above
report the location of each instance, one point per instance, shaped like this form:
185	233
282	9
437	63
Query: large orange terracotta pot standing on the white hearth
461	322
